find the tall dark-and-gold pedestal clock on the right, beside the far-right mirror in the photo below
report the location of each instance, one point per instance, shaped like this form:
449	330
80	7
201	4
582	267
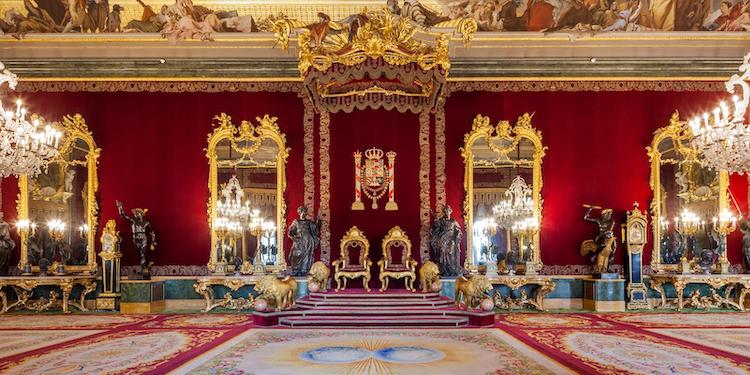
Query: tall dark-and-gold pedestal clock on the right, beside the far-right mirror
634	236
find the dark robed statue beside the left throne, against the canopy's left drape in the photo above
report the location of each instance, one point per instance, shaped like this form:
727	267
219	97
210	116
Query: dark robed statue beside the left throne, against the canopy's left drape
305	236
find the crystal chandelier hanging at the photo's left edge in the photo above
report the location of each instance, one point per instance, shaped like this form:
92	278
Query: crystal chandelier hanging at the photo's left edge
26	147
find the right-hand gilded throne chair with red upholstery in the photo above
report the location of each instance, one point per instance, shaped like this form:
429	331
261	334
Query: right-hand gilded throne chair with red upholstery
397	262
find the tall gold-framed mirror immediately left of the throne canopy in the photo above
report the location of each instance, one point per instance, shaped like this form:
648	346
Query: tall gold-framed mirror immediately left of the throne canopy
246	210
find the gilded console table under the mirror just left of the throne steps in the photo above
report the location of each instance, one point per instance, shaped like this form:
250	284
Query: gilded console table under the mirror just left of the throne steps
204	287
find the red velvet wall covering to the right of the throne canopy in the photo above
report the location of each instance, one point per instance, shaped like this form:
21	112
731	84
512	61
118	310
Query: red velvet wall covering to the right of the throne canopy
596	154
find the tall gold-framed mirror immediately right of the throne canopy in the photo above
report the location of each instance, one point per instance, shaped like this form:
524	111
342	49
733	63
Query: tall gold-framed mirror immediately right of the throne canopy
503	183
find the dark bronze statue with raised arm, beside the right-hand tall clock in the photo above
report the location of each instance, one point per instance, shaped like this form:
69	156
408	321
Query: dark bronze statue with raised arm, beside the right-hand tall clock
603	246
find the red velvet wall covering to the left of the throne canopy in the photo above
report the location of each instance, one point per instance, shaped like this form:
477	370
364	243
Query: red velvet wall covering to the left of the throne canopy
153	156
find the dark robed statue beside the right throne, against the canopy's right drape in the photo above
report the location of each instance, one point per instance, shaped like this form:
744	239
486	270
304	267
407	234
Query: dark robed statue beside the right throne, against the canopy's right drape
445	244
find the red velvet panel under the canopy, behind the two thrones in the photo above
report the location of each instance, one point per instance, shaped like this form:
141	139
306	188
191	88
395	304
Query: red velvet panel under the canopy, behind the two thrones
389	131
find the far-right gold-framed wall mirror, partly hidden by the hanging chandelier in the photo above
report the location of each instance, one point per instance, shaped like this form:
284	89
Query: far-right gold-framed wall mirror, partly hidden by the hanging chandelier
686	197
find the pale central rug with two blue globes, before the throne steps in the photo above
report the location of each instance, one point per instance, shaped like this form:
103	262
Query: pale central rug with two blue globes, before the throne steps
408	352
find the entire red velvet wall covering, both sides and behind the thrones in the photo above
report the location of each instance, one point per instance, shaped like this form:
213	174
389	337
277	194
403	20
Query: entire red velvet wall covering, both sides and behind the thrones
153	156
